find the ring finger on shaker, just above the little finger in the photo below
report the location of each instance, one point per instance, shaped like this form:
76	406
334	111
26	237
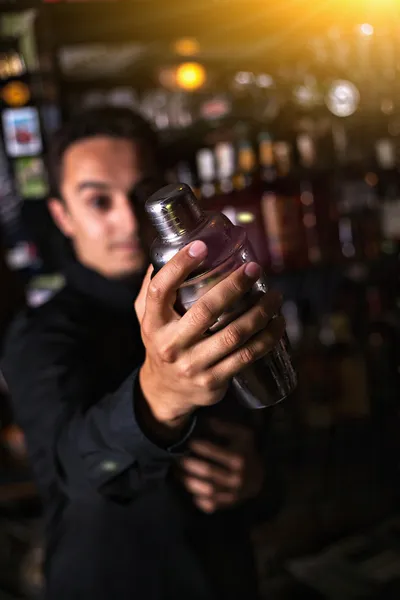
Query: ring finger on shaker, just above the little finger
235	335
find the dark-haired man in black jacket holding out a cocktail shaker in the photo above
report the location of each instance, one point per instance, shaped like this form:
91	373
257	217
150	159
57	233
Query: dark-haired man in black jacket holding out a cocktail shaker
149	471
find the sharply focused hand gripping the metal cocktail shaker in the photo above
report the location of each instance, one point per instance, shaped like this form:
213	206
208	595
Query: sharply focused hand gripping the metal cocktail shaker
184	368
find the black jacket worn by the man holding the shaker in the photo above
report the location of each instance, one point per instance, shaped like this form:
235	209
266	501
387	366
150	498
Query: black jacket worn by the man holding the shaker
118	524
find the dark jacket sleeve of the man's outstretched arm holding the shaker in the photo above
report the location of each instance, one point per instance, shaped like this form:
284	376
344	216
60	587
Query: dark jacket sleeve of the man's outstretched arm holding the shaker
71	429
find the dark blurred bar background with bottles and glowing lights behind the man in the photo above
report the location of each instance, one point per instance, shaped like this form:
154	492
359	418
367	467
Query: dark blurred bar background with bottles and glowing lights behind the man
286	116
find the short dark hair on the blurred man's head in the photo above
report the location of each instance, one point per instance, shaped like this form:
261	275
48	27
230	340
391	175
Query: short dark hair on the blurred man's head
116	122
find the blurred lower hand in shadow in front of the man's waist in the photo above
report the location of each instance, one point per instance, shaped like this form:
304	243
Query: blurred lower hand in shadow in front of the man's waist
238	474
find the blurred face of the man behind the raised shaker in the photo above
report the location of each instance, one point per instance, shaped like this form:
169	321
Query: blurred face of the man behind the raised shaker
100	210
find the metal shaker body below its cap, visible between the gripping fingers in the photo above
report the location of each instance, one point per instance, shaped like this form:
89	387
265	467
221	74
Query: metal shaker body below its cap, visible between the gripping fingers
271	378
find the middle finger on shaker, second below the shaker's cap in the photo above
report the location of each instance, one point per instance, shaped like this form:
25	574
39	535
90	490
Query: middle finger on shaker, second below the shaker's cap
225	294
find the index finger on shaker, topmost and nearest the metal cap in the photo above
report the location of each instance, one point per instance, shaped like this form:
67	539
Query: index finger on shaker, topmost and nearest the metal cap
162	290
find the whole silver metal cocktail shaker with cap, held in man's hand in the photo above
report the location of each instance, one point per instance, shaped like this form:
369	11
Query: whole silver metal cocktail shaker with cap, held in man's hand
178	220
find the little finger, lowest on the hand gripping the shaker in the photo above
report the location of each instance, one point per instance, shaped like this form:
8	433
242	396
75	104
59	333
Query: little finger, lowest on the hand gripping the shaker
260	345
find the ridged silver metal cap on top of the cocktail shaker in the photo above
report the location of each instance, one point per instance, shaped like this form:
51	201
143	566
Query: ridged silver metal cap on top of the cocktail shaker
174	211
